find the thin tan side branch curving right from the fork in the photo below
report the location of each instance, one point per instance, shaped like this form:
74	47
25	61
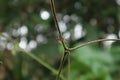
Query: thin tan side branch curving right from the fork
91	42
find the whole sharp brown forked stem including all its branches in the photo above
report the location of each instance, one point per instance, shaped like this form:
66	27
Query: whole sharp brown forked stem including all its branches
66	49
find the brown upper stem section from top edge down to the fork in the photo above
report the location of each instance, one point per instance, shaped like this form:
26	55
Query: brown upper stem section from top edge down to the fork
56	23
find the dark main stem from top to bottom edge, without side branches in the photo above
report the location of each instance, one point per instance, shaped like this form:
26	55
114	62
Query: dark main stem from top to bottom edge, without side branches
60	38
